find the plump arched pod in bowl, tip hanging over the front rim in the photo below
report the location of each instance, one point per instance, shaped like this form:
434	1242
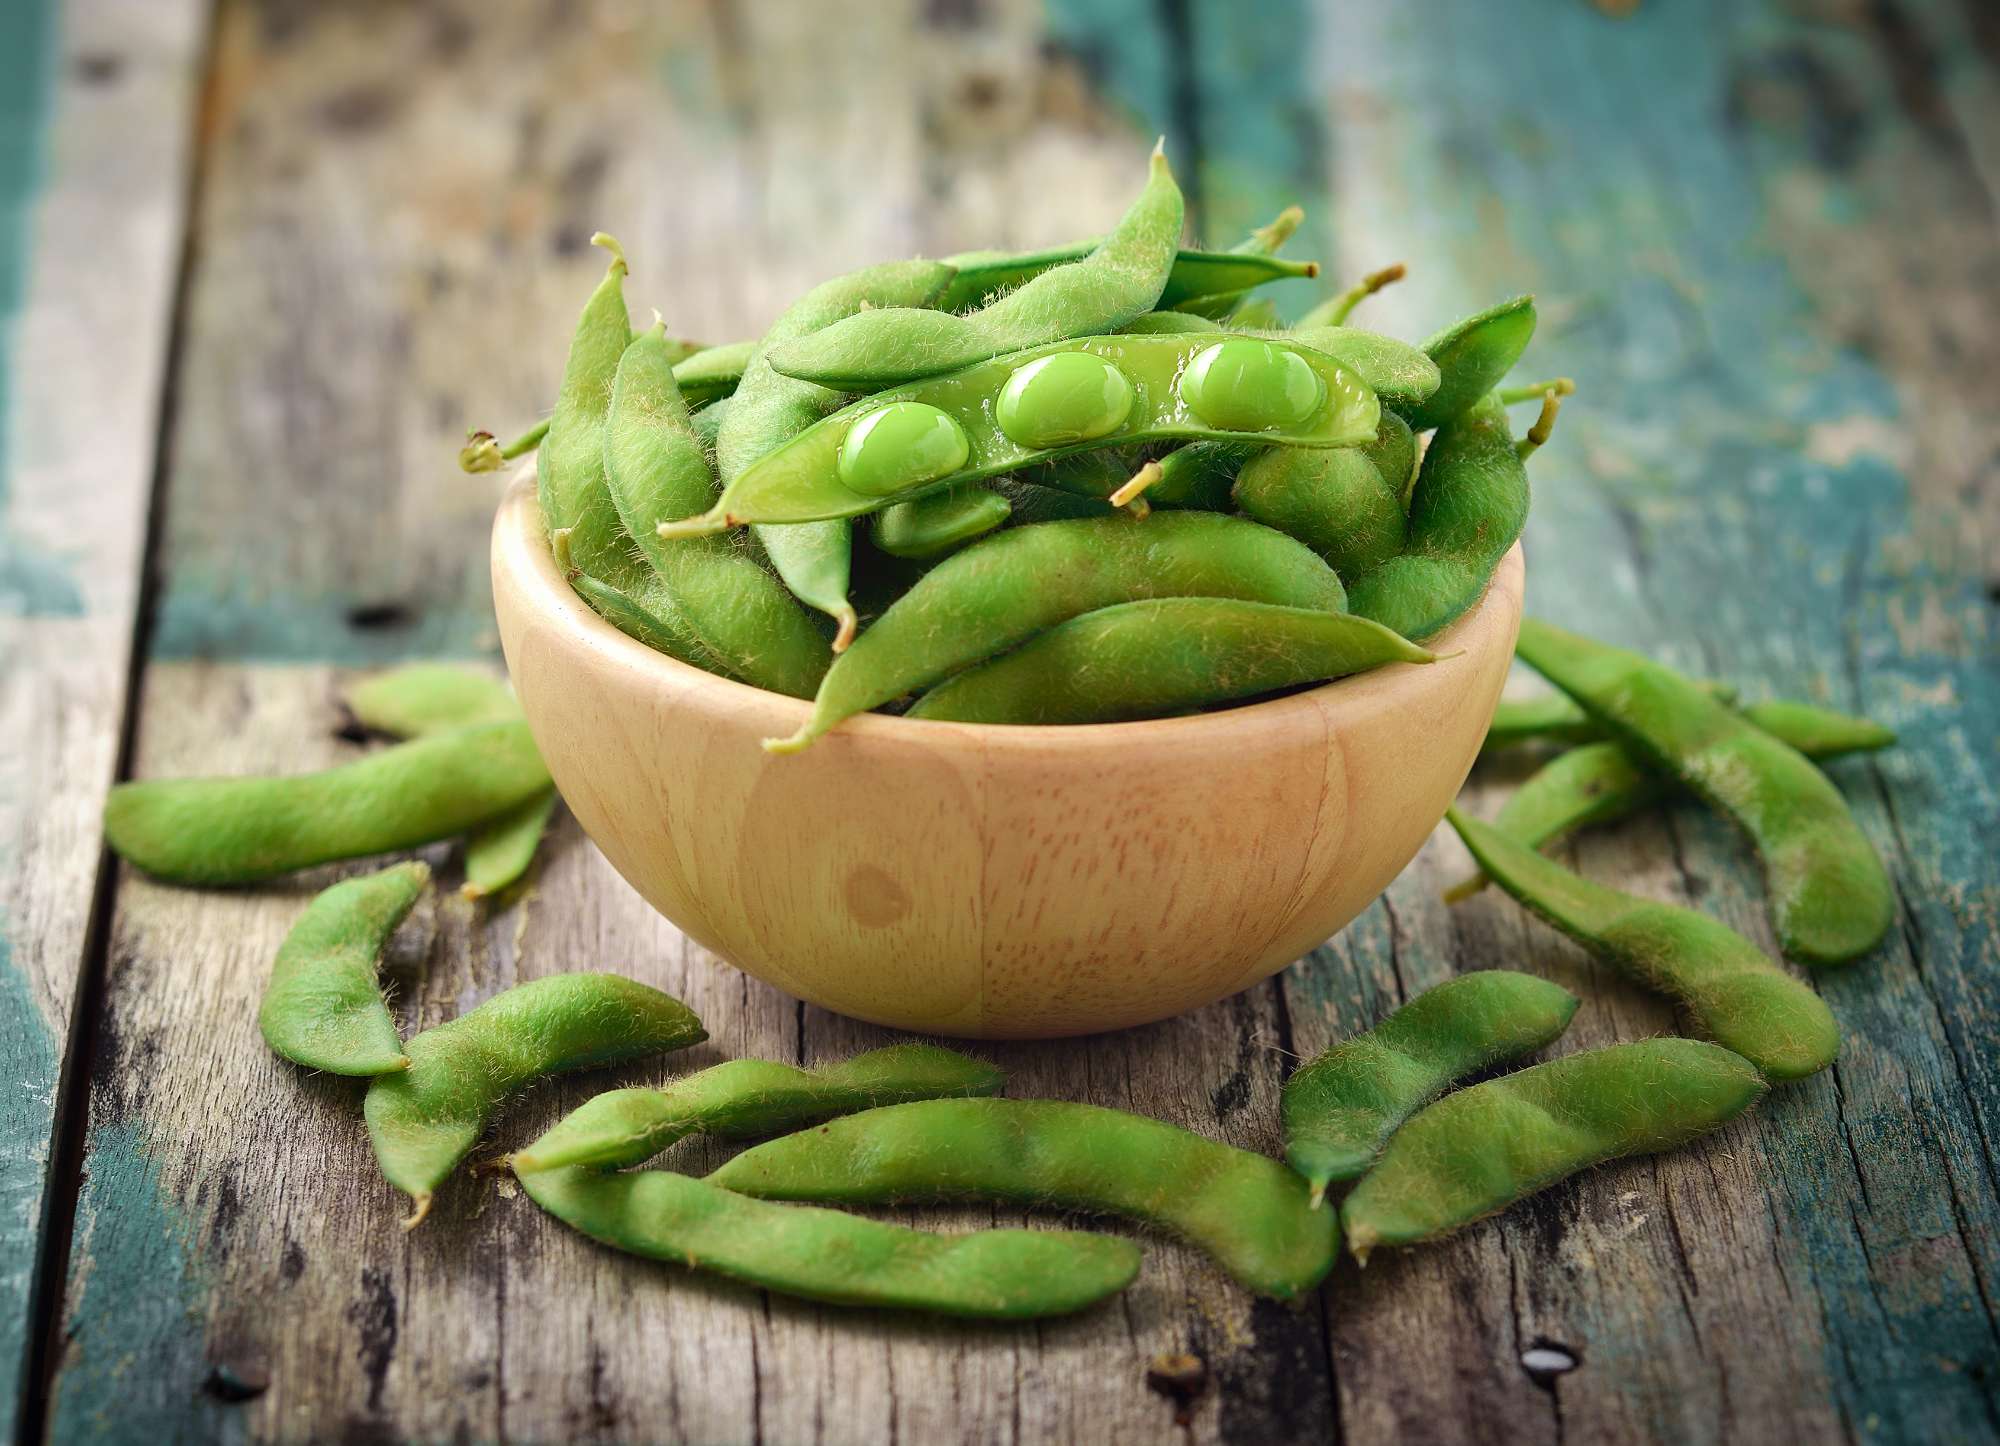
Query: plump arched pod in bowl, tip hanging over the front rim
1017	583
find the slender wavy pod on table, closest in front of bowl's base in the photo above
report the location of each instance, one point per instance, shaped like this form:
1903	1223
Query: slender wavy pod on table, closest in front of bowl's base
751	1097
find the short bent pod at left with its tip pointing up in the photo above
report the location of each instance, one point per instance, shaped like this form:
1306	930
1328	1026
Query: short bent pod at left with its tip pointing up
323	1005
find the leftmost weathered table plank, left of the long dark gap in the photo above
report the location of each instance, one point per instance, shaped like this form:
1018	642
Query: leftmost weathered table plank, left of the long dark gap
95	121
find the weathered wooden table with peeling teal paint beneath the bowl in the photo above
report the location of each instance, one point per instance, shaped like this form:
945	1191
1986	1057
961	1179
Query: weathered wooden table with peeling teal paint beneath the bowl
265	265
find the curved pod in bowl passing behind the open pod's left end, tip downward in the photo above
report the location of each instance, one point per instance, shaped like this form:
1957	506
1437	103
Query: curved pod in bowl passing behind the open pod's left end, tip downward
815	559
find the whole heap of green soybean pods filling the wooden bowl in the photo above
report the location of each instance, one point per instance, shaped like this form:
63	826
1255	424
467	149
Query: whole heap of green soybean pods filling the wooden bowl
1081	485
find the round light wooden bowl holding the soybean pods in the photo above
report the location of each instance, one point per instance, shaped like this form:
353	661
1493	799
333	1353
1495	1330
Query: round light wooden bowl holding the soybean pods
981	881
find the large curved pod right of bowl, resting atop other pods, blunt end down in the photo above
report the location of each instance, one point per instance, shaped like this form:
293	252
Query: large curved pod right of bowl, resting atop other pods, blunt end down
1829	891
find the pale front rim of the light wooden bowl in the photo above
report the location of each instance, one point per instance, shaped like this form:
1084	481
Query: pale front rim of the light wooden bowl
521	551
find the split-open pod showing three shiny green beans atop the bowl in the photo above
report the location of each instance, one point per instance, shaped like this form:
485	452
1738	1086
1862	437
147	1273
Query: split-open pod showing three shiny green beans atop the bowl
1043	403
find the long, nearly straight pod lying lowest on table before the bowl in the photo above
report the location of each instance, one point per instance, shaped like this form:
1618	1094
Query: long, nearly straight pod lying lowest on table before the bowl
833	1257
